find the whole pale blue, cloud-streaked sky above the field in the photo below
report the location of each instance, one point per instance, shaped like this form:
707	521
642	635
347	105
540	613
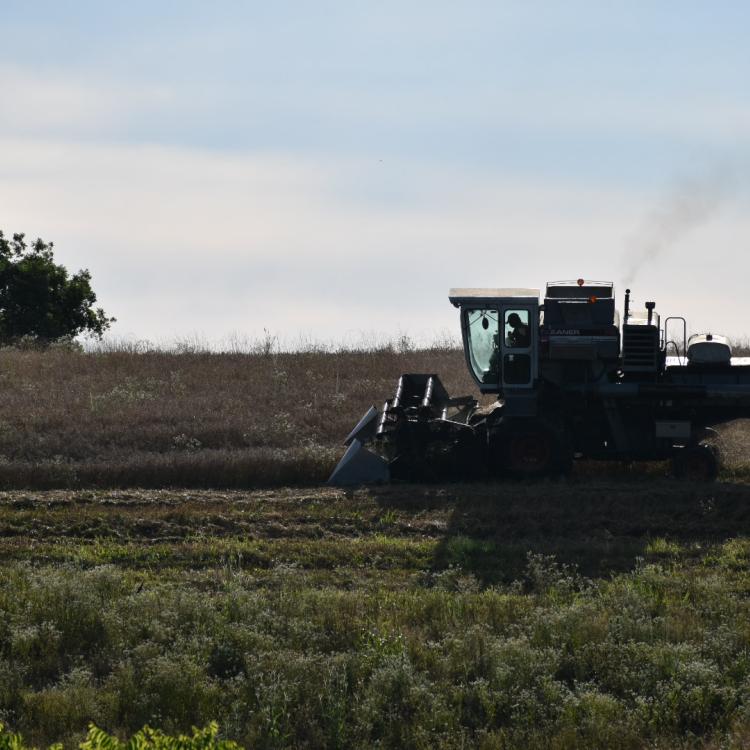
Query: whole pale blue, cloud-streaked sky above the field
328	170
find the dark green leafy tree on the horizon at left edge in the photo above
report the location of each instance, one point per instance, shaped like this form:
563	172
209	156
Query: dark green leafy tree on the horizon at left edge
39	298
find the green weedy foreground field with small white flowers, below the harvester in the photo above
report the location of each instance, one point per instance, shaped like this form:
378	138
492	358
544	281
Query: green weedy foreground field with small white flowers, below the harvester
546	615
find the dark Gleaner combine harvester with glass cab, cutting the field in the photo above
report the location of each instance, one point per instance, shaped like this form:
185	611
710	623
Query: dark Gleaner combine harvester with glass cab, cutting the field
571	383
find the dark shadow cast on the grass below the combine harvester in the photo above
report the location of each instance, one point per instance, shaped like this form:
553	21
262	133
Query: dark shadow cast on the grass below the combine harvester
600	527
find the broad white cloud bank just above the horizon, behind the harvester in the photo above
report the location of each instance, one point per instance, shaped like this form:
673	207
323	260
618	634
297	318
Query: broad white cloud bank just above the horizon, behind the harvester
184	241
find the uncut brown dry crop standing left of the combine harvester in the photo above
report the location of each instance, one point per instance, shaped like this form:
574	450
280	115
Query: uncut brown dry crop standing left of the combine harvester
160	419
